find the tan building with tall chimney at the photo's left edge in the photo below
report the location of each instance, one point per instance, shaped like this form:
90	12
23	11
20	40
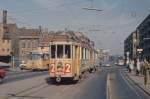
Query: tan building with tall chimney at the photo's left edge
7	35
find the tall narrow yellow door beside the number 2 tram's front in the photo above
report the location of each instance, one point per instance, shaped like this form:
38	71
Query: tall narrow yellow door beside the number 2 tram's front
77	60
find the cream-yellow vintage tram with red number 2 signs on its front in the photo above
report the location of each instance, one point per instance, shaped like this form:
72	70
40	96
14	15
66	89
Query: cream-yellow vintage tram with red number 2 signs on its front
70	57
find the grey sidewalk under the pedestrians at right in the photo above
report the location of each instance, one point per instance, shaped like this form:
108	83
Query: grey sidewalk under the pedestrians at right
139	80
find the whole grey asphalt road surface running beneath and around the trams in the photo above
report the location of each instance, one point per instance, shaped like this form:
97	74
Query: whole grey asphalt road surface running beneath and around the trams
93	86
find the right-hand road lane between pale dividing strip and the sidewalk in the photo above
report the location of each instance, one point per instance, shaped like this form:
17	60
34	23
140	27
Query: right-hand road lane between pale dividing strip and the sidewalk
121	88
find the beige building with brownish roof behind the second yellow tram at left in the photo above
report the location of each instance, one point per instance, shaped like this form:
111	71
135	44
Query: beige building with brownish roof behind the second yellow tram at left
28	40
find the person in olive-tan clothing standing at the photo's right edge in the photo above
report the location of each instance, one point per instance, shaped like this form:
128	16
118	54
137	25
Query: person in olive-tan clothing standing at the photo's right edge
146	68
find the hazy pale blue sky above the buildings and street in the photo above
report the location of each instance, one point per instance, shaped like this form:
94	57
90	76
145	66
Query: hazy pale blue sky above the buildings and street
107	28
